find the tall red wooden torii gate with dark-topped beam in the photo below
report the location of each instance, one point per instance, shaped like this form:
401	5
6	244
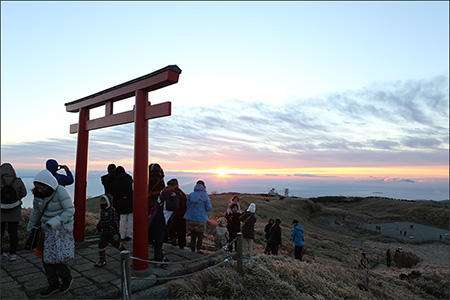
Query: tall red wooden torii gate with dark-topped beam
140	114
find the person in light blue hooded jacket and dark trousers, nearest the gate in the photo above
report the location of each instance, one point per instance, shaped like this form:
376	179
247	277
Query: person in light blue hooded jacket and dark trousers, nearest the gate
197	205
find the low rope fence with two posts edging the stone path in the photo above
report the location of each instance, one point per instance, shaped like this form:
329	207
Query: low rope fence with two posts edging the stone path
125	257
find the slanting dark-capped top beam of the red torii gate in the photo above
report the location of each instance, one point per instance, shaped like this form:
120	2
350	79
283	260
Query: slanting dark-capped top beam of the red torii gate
150	82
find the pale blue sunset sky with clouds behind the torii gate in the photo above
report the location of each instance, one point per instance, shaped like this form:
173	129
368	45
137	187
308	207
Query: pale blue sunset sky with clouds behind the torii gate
318	91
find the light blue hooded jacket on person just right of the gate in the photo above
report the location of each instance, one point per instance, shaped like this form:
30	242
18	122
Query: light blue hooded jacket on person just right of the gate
197	205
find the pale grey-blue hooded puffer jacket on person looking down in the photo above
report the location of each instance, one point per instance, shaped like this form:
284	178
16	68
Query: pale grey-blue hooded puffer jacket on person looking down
60	209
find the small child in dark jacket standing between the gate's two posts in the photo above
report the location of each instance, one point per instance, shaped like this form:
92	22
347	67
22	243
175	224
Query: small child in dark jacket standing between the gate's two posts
110	229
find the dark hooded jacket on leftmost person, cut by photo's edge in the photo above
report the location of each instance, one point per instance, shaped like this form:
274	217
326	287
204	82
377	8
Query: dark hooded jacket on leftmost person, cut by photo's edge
8	173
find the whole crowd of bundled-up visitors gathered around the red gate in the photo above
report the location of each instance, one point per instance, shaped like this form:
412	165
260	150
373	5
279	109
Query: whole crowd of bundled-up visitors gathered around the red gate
172	217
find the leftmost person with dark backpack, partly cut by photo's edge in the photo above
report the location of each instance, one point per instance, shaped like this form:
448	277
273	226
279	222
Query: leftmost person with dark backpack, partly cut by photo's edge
11	213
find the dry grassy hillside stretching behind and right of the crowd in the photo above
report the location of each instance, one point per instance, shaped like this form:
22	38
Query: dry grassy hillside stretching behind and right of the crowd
330	267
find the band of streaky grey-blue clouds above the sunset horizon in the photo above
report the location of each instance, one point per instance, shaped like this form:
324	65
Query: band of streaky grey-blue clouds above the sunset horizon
385	124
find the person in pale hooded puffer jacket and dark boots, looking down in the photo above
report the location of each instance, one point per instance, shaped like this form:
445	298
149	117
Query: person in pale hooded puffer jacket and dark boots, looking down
57	216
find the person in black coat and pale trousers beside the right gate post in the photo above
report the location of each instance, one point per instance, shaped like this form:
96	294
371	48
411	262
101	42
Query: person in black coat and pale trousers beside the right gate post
123	202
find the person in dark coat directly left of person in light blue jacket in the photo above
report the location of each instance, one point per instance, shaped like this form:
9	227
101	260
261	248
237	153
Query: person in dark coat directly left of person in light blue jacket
178	229
